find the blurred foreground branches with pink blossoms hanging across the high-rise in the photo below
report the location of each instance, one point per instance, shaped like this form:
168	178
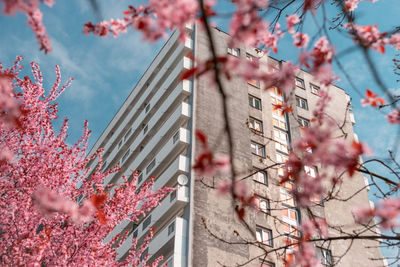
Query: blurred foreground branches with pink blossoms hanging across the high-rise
250	26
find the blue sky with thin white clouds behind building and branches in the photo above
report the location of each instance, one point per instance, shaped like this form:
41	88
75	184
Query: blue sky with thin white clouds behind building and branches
106	69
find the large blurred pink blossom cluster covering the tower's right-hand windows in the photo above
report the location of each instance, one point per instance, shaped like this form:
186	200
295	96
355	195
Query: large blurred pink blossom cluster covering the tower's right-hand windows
318	146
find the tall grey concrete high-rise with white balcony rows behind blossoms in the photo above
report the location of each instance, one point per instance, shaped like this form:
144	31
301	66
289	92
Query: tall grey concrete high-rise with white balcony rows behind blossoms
153	132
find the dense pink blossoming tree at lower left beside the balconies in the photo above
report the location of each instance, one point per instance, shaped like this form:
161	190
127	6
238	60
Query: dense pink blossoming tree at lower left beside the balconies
53	213
